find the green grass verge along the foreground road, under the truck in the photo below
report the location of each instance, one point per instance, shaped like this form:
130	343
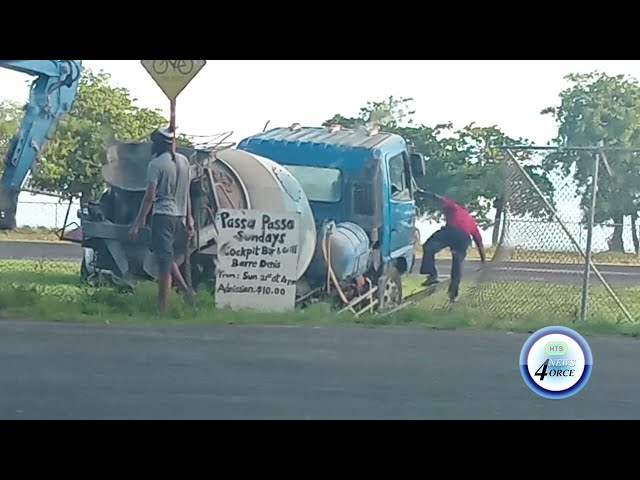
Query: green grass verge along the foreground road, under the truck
45	290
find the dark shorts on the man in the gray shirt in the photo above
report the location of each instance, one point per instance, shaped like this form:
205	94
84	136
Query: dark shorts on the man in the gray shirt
168	237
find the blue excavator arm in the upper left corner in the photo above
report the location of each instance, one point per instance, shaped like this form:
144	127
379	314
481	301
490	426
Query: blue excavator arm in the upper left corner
52	94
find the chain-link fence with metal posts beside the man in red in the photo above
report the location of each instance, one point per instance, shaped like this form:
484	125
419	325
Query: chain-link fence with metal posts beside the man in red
539	268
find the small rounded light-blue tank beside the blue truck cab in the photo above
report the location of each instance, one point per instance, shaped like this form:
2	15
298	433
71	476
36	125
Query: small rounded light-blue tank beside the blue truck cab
349	251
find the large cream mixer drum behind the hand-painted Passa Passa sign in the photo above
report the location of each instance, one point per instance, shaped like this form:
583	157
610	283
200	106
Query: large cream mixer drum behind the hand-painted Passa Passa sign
272	188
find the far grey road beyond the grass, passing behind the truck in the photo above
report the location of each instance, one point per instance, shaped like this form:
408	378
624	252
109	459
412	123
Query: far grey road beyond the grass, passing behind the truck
617	275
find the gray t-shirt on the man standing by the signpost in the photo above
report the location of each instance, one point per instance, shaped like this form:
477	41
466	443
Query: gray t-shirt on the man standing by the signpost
172	180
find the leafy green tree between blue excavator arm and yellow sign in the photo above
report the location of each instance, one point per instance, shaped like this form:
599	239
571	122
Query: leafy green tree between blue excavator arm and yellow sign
72	161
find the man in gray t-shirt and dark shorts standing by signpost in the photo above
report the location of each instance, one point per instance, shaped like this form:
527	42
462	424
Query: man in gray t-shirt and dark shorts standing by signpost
168	184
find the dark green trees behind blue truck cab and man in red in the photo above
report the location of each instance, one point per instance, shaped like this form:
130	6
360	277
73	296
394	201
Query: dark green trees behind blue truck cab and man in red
464	165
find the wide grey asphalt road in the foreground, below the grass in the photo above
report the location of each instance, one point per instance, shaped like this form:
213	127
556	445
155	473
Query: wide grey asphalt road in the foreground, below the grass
71	371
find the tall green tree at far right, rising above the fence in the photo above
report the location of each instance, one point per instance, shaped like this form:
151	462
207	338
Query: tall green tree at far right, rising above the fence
600	108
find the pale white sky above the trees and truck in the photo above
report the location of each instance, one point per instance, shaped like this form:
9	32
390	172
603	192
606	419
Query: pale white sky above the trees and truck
242	95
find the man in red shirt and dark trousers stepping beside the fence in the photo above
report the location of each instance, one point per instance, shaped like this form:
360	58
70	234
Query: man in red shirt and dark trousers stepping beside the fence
460	228
